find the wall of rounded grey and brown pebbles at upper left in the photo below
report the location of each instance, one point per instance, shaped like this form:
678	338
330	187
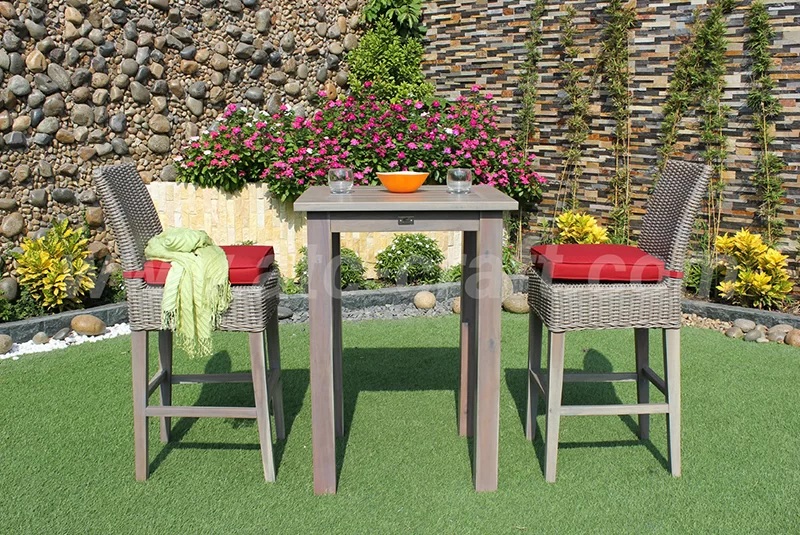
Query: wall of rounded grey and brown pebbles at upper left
85	83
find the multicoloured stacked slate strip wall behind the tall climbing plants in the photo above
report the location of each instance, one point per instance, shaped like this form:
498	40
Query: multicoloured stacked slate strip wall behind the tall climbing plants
483	41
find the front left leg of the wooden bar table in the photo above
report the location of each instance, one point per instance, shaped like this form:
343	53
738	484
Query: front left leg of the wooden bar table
320	323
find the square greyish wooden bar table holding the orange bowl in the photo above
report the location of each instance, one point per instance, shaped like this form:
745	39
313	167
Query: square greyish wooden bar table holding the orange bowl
479	215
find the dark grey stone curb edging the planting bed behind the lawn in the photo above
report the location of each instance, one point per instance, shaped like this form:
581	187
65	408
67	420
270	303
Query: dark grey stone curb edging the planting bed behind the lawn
118	313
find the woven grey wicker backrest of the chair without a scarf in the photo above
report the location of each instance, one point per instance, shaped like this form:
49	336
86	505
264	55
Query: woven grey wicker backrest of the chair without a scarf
671	211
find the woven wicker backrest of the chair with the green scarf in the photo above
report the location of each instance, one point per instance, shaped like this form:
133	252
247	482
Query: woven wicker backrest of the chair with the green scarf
130	211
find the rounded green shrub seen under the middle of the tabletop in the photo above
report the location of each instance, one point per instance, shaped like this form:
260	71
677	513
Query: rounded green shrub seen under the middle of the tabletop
411	258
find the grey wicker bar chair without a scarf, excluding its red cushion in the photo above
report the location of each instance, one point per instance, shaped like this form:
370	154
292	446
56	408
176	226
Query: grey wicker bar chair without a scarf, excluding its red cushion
570	306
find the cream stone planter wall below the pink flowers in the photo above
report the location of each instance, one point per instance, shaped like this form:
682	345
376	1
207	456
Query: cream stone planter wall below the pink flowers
253	215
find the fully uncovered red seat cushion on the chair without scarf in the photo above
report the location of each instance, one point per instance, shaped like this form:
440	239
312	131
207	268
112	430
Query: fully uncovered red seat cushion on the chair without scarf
598	263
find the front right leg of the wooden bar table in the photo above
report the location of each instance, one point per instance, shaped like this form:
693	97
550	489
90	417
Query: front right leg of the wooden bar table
487	424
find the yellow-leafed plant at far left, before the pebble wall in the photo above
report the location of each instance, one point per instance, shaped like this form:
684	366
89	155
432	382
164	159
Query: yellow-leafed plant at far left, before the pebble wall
54	268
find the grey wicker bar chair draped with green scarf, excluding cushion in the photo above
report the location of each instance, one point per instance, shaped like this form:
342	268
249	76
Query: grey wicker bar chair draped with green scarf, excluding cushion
132	216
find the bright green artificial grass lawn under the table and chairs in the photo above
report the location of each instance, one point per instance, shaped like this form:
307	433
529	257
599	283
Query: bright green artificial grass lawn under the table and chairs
66	443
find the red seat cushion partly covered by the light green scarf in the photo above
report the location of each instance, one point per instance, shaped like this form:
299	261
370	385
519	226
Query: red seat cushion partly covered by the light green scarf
246	265
